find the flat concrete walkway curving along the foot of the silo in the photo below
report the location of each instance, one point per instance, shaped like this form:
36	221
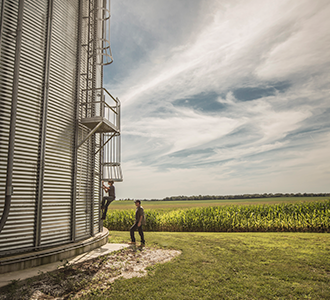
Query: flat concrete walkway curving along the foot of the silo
7	278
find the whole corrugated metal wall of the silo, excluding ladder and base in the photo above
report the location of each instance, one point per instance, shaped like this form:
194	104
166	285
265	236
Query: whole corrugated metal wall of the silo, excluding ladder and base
56	216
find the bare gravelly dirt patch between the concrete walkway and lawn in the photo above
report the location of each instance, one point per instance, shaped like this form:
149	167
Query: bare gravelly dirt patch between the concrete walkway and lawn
90	277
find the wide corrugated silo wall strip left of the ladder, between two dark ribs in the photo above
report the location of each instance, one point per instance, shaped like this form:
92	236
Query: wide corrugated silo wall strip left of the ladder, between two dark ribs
56	210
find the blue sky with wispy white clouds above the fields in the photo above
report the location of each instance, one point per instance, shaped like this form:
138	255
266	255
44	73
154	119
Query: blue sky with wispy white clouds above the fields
221	97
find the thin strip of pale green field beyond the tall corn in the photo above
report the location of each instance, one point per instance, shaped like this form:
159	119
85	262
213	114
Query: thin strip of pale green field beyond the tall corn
171	205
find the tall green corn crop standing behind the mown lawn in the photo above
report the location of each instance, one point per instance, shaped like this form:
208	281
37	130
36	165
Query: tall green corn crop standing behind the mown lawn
297	217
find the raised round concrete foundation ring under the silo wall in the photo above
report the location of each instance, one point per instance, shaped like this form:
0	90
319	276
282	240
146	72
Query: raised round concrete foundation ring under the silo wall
50	255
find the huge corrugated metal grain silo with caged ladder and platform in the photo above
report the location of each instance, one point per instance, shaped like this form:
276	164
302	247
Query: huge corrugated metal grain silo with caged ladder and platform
59	128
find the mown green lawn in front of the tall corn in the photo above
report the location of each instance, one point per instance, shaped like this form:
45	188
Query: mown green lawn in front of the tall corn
232	266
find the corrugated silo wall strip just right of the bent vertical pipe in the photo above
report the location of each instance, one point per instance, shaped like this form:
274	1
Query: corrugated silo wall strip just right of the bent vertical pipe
19	230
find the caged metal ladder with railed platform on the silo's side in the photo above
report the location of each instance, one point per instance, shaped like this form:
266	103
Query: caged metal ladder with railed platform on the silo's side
99	111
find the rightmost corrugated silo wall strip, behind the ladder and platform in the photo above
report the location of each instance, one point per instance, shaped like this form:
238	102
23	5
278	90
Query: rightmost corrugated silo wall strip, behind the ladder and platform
88	183
